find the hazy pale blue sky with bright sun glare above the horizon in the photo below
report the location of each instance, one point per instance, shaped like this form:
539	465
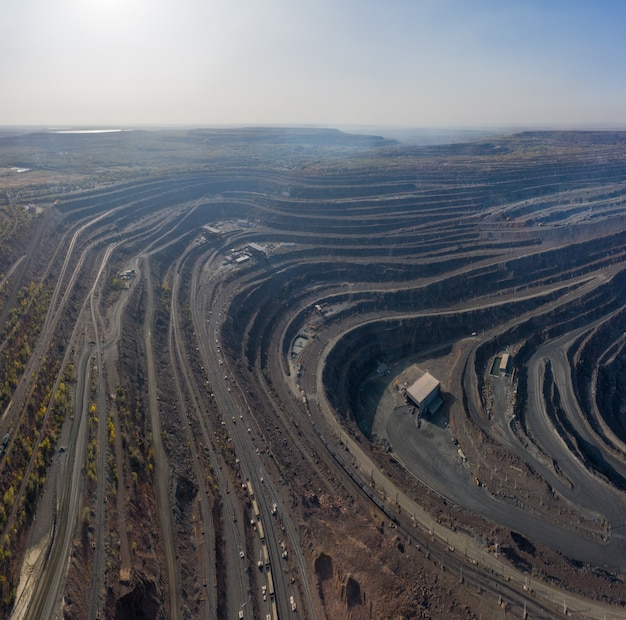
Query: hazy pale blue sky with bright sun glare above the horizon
417	63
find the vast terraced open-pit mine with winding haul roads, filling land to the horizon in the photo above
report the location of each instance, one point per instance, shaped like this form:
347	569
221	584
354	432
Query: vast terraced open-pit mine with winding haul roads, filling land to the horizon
283	373
